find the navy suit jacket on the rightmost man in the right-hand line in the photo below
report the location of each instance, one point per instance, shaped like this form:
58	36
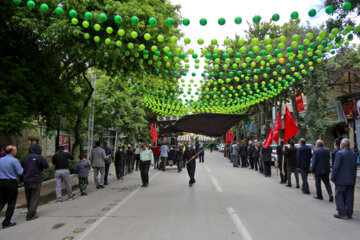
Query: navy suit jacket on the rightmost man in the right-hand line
344	169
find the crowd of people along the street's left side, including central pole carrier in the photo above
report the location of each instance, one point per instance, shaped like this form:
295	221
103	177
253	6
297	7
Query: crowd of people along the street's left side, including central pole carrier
127	160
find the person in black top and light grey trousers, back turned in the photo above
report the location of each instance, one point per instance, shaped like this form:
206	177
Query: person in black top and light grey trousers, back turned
62	173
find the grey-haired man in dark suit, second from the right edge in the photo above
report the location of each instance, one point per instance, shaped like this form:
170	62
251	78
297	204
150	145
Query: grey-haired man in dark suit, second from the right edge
321	169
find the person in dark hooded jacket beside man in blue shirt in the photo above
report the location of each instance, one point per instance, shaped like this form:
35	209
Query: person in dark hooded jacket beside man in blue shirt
33	164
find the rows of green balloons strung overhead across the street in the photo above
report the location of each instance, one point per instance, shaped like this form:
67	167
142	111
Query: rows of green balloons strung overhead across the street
234	78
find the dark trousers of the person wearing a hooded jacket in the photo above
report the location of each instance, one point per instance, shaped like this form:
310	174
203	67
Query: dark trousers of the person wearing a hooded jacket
32	194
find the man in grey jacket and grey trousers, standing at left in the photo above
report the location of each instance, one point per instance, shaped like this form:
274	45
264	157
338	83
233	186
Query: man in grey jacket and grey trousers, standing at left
97	159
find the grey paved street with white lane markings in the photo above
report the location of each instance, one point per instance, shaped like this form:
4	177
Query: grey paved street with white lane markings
225	203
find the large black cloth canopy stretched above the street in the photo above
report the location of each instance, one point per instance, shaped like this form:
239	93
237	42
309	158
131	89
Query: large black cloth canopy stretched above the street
209	124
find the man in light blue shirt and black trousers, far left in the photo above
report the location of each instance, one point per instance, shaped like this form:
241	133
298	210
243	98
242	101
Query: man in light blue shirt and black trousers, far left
10	168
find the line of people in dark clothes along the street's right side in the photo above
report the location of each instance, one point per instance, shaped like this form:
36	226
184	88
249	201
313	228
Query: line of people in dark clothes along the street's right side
302	160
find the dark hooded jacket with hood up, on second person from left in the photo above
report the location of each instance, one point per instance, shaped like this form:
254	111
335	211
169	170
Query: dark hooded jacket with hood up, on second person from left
33	164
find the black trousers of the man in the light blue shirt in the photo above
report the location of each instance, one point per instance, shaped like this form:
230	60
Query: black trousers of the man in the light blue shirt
8	195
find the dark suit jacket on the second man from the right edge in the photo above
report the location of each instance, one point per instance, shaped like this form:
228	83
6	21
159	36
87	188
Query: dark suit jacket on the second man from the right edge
321	161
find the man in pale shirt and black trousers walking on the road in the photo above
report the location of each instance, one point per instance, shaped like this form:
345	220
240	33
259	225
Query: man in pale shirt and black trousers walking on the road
146	159
